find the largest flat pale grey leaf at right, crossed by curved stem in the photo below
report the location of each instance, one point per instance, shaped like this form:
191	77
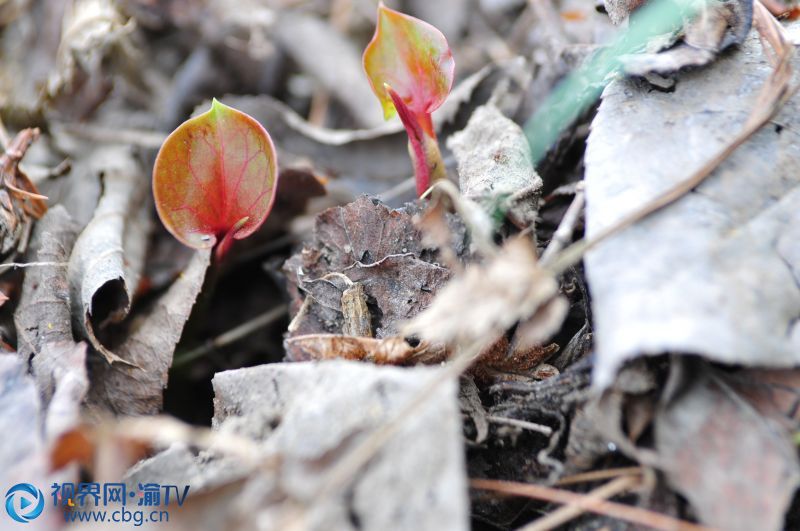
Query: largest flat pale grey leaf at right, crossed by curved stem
717	273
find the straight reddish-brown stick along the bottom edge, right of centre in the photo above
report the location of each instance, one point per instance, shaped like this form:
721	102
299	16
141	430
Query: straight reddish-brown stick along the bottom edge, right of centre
620	511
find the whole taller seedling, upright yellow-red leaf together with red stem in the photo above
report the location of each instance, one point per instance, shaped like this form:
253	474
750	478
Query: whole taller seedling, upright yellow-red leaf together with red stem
410	68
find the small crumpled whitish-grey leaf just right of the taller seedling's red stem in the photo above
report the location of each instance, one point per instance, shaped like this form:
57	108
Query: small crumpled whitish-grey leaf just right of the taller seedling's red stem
495	166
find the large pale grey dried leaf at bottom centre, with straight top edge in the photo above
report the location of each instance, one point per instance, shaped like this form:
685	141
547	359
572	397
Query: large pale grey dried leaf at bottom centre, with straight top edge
416	481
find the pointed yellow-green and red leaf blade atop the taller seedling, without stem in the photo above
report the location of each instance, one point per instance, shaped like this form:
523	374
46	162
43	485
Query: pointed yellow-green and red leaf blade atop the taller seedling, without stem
413	58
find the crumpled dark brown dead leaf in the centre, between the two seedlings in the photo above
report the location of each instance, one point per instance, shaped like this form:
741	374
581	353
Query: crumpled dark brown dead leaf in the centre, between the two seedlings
370	244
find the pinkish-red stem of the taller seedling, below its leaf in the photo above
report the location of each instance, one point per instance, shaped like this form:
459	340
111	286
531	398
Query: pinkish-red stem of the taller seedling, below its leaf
422	144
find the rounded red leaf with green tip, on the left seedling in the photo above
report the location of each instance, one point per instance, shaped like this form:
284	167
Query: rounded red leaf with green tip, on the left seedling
215	178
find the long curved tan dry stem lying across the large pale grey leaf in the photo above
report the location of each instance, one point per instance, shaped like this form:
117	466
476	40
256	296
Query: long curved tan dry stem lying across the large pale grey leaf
773	95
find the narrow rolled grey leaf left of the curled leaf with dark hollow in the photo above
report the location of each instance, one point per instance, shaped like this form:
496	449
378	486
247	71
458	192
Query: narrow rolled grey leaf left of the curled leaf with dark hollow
43	313
